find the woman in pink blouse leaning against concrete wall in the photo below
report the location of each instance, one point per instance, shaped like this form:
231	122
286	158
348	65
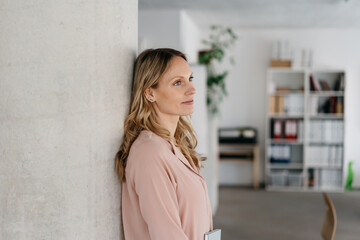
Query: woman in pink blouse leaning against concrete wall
164	197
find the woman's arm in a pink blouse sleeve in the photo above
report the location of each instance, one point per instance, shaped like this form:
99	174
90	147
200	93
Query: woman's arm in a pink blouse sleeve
156	191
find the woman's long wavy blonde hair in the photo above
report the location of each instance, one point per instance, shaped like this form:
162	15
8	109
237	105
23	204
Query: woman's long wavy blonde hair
150	65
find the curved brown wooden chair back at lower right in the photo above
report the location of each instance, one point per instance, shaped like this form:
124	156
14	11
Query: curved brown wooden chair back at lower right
329	225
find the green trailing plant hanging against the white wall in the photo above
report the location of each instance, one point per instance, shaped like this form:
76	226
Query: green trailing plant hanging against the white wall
220	39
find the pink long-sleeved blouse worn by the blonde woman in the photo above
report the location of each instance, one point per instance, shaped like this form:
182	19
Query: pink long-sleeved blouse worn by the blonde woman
164	197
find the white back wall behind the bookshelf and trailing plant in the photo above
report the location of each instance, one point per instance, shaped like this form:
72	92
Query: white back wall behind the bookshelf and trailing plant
246	85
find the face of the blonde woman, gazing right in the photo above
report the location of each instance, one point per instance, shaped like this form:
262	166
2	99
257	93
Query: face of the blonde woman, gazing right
174	94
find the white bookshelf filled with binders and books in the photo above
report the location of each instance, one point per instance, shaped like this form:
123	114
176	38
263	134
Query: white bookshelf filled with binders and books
309	154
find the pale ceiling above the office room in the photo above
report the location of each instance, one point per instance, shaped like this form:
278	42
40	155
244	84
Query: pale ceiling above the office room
266	13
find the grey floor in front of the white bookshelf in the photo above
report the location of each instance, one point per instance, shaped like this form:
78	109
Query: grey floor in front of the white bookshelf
244	214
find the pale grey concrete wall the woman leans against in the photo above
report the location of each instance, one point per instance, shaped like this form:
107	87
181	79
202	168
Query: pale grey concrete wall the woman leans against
65	70
